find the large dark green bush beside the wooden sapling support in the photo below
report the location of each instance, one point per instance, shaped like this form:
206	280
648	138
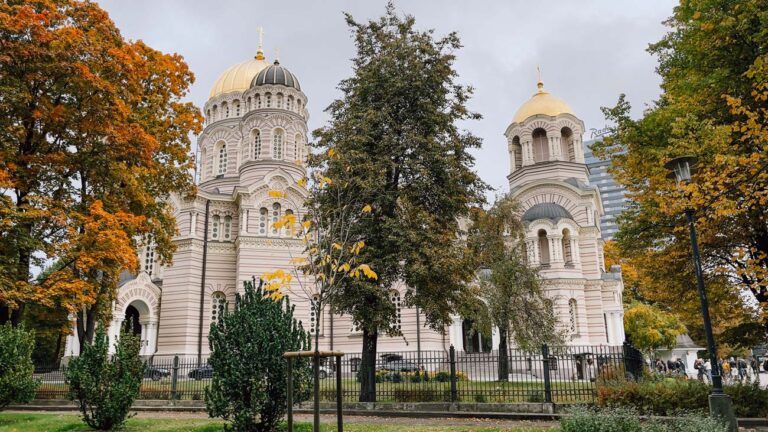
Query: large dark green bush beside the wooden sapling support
248	388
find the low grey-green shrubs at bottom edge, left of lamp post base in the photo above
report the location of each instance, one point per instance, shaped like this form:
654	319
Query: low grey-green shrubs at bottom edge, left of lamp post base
583	419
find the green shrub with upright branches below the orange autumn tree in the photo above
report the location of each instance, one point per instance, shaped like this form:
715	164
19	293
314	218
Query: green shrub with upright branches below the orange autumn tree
104	388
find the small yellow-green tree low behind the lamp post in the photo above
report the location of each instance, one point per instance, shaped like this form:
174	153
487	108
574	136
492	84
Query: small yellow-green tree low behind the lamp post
650	328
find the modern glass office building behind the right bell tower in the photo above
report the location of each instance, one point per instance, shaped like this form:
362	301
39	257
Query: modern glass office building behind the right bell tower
612	193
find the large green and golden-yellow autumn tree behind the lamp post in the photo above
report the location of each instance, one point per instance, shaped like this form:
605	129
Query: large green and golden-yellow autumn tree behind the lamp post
713	71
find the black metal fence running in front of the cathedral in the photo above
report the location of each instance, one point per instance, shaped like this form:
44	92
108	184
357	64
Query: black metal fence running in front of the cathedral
560	374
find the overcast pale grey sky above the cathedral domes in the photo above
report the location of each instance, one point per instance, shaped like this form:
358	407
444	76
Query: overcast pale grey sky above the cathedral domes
589	51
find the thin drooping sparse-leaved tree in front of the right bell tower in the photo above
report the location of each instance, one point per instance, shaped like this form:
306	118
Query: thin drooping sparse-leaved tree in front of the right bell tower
510	291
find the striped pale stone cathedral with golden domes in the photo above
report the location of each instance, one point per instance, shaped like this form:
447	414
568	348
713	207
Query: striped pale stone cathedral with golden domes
251	156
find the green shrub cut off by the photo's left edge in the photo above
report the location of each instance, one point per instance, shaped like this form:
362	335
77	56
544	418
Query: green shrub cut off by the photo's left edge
16	369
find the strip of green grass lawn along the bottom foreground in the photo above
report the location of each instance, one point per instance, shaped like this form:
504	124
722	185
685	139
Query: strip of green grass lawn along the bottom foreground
36	422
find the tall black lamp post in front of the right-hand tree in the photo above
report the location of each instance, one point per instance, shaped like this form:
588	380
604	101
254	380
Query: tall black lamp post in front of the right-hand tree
720	404
